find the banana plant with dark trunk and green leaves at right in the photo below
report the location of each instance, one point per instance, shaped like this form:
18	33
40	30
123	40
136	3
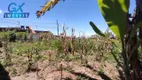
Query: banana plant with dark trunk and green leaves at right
115	13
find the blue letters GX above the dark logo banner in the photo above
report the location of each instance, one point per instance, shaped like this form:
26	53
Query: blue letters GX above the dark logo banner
13	7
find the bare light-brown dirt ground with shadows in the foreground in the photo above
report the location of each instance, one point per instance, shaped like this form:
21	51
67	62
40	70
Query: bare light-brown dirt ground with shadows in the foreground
70	71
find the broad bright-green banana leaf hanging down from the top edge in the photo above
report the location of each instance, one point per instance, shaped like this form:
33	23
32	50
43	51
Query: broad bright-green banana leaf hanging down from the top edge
115	14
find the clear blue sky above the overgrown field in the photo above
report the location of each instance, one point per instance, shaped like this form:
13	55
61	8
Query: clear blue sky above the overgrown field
72	13
